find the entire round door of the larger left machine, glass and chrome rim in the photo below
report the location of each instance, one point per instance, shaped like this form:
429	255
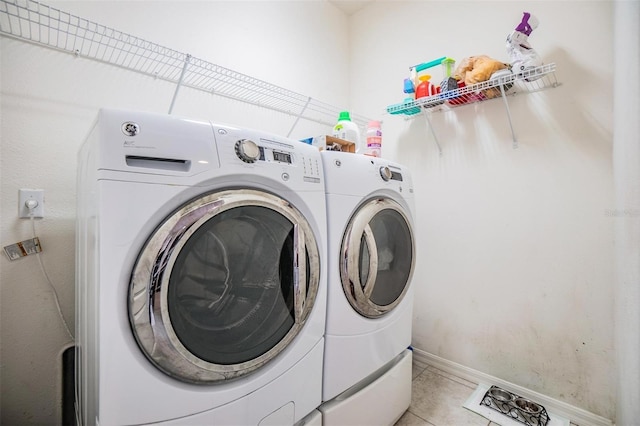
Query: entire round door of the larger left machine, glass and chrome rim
223	285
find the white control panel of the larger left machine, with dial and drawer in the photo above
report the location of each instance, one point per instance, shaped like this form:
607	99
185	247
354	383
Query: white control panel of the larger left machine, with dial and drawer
156	148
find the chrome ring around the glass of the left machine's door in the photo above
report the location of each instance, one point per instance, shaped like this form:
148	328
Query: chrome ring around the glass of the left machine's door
148	307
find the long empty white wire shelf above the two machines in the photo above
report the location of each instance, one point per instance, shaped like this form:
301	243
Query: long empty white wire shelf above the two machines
38	23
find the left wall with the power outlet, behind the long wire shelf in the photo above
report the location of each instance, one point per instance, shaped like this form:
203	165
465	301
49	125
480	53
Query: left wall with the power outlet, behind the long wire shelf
48	102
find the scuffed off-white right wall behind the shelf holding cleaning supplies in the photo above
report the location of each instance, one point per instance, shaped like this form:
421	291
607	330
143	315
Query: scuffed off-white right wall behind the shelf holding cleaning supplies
515	270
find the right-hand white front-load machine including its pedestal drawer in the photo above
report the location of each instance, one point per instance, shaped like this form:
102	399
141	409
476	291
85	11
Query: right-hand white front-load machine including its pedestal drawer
371	258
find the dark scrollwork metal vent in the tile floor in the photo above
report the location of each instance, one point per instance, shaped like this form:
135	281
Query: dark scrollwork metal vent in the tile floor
515	407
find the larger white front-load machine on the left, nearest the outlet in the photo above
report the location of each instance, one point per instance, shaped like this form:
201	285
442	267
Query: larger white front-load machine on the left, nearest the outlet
200	270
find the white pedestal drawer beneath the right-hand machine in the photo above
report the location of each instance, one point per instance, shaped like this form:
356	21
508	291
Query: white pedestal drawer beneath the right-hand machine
380	399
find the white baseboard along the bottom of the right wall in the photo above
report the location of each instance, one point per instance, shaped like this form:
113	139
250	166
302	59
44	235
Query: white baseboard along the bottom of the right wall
576	415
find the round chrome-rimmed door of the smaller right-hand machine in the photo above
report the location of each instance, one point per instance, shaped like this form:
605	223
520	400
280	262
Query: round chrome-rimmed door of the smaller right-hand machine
377	257
